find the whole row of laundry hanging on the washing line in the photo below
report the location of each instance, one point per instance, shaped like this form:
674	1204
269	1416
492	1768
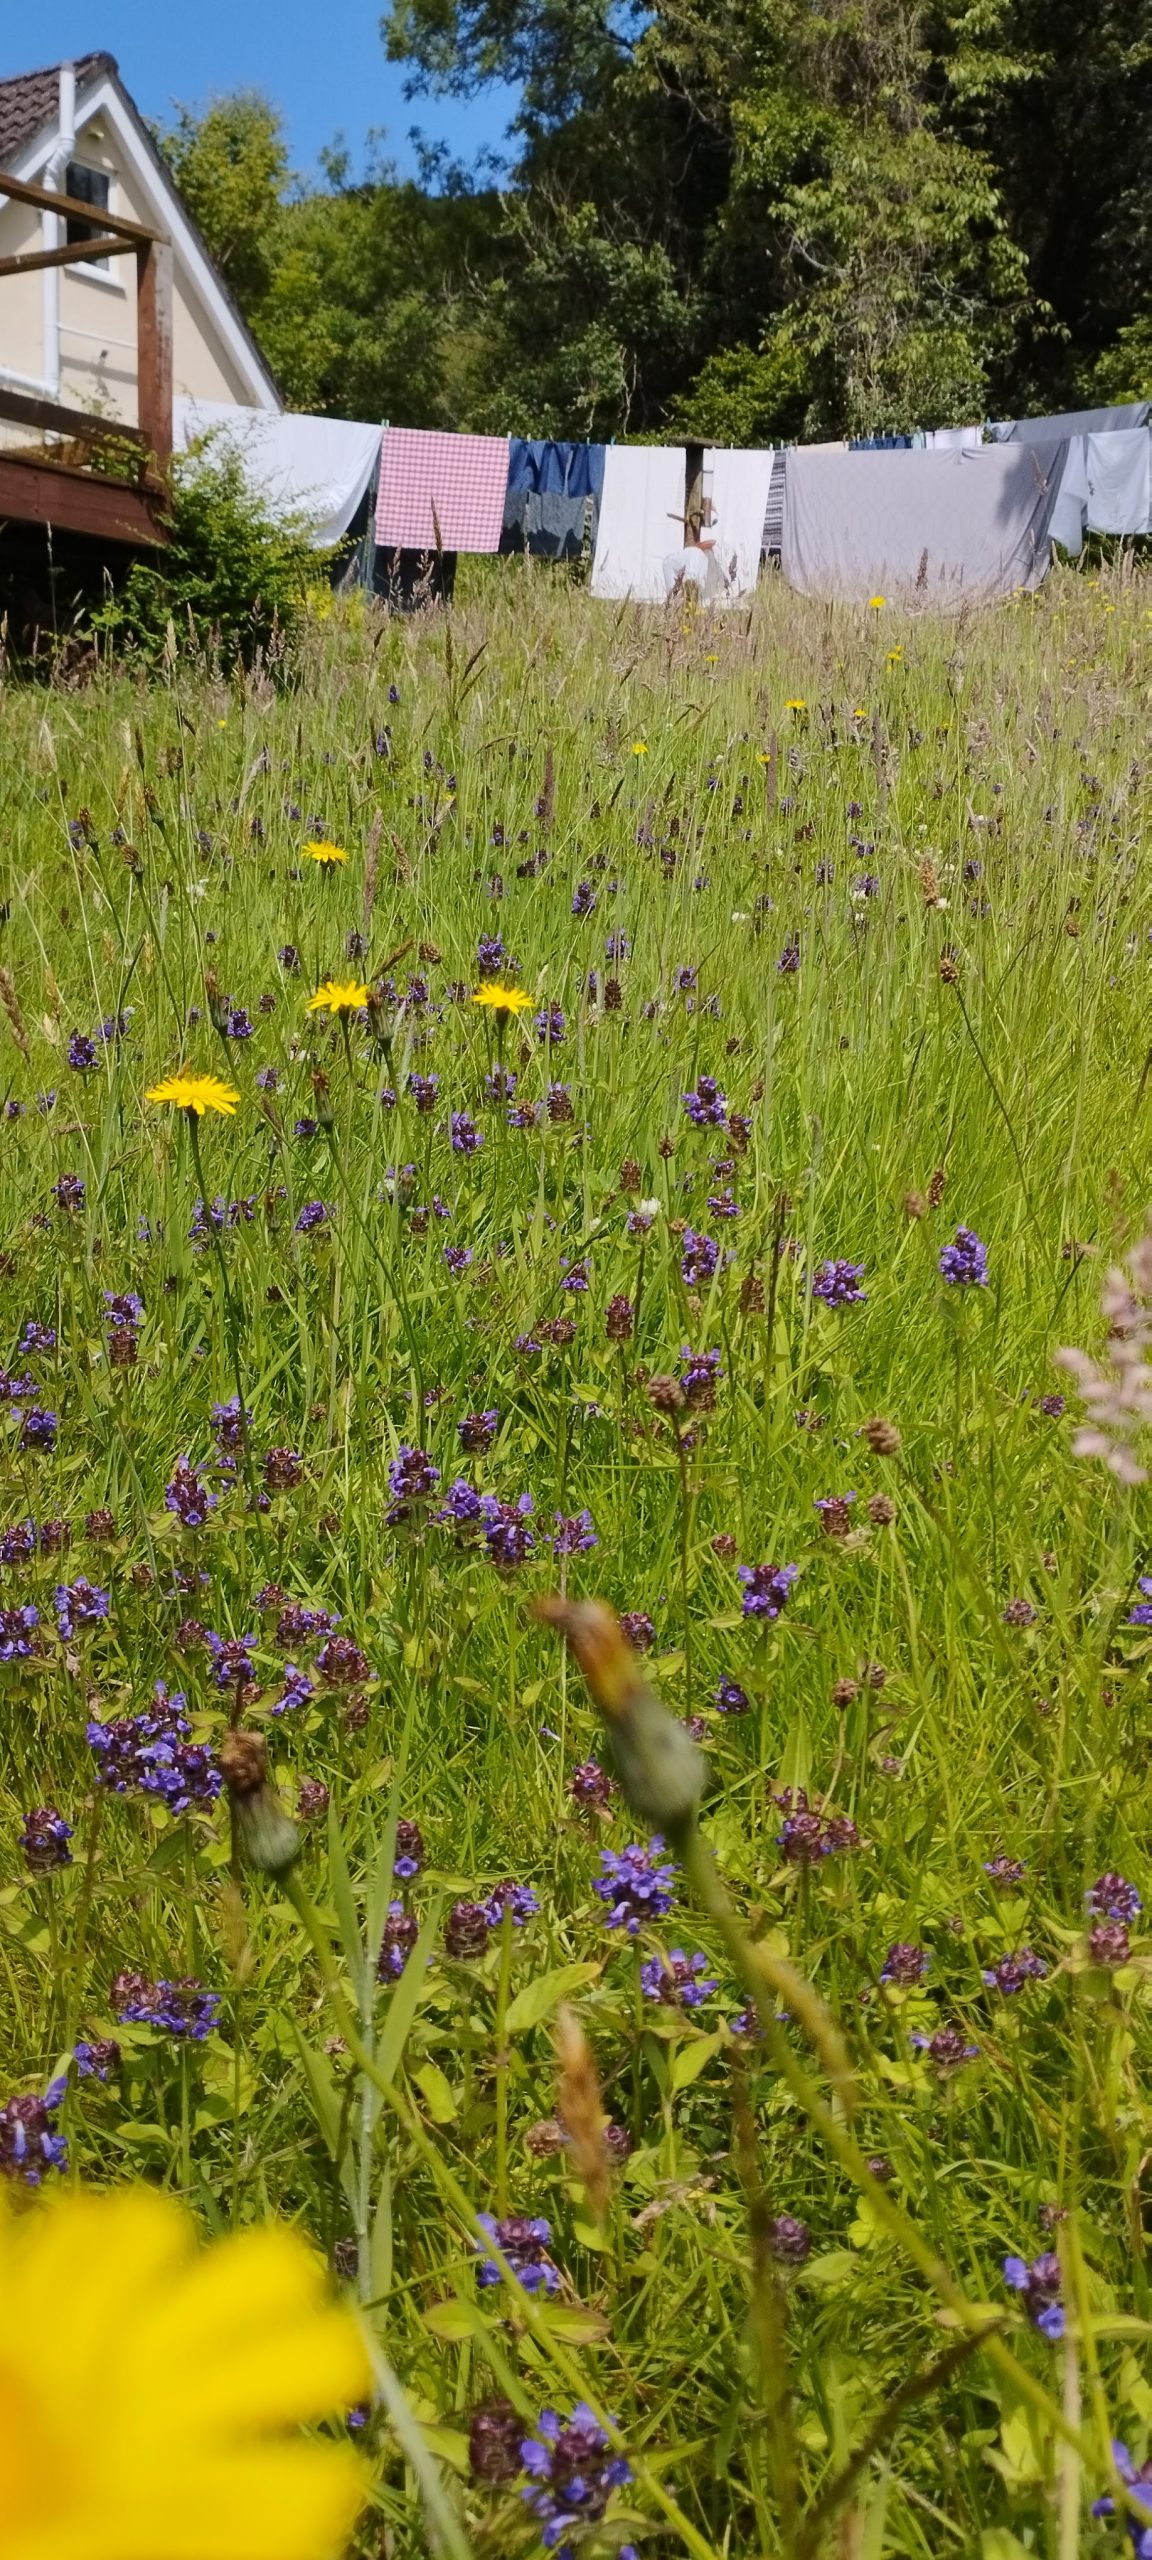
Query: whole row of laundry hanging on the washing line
946	516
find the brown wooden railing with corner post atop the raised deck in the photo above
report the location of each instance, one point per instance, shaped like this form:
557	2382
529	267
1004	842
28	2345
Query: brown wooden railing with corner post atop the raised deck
109	237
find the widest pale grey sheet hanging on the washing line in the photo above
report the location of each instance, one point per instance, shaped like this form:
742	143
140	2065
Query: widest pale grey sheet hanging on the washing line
920	529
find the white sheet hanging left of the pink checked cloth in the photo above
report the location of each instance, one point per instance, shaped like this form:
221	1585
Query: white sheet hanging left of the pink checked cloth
316	467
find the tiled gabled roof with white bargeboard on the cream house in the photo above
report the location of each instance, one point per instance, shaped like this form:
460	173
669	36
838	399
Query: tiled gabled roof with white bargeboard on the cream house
29	111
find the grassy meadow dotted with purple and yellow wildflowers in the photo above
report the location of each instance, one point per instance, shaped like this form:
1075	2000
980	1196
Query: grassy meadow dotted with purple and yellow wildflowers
570	1102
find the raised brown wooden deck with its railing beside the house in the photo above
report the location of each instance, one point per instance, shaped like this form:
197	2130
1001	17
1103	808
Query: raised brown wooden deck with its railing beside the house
93	475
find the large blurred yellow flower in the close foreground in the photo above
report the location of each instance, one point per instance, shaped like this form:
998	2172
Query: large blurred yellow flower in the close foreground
150	2390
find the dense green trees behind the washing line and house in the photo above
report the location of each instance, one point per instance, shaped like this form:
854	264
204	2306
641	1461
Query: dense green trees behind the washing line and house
723	219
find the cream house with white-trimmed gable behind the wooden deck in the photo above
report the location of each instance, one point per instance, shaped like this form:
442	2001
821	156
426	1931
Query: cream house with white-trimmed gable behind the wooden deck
70	332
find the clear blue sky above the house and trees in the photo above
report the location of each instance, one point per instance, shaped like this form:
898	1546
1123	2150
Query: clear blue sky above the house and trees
321	65
